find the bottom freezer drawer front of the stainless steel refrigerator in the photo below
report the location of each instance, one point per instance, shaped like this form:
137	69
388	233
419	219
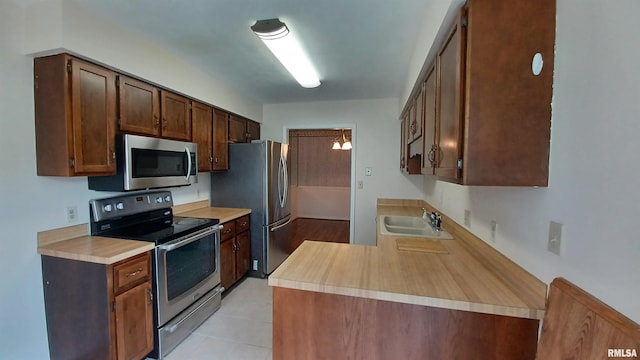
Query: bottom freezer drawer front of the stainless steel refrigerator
280	244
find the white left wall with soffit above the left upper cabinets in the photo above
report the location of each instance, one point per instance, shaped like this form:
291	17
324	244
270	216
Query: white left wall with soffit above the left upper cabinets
31	203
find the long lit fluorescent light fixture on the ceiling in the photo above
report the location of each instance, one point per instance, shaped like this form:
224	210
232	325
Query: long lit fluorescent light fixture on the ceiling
275	34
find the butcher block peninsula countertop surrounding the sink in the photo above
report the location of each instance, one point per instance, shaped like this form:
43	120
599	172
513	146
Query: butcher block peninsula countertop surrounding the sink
470	275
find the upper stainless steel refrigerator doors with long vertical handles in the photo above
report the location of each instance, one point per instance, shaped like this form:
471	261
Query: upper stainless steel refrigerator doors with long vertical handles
277	182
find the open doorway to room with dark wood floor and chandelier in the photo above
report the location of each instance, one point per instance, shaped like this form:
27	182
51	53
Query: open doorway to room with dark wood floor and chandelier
321	183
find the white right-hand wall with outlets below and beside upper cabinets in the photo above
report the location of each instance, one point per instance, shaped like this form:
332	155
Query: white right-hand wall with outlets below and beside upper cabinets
593	182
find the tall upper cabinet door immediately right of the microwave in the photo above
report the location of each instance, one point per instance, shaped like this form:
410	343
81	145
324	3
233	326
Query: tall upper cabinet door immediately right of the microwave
202	134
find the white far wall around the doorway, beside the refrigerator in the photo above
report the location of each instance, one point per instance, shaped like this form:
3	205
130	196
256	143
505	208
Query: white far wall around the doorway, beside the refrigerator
376	144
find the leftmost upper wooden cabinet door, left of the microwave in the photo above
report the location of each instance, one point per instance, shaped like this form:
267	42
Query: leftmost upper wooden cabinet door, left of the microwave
93	103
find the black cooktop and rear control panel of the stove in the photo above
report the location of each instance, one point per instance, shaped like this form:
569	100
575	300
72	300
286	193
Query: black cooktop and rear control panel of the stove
146	217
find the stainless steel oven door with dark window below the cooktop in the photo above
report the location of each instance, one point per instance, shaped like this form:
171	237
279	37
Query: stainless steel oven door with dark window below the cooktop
186	269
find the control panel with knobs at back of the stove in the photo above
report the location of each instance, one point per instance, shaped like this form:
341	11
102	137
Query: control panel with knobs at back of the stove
129	204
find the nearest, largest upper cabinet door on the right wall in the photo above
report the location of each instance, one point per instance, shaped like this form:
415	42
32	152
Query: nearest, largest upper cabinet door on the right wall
449	63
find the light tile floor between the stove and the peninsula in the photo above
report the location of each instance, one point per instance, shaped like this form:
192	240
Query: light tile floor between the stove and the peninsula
240	329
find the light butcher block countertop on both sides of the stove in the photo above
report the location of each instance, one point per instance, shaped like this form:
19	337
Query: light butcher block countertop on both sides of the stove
75	243
